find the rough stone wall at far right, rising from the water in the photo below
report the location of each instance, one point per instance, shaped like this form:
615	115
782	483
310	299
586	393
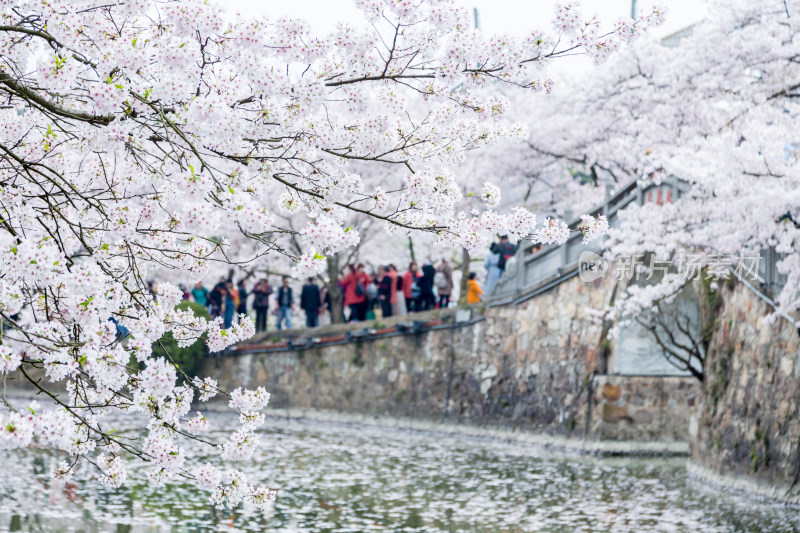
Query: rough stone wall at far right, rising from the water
748	426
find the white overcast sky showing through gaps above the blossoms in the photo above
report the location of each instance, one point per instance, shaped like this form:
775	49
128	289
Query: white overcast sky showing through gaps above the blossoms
515	17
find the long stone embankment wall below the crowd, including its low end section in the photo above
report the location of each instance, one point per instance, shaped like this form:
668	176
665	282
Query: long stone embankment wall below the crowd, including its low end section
528	366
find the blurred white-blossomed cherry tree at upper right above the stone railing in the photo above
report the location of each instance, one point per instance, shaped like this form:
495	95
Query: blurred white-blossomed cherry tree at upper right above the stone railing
718	110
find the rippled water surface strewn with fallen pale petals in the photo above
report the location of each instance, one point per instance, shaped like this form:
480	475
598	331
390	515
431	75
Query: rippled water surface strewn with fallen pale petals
354	478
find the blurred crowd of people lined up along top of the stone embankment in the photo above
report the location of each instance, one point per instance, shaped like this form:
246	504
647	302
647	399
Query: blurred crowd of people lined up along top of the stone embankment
364	294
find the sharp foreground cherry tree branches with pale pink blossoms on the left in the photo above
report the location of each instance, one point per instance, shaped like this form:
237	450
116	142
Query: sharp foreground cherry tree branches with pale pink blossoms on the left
144	135
